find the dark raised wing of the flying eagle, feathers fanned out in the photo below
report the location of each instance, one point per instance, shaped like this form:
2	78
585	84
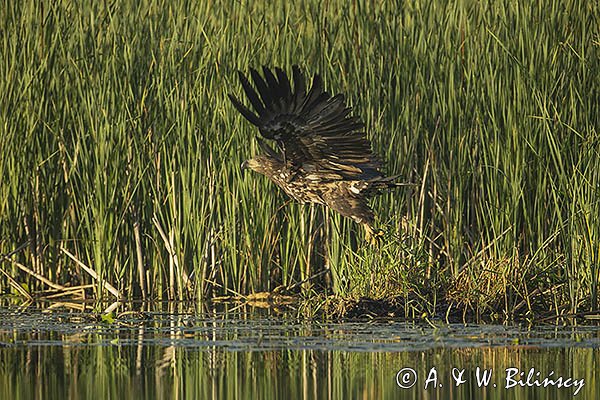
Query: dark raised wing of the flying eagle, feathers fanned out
313	128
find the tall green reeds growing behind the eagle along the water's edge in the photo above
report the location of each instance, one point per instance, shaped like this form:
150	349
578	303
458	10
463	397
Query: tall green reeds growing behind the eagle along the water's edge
120	151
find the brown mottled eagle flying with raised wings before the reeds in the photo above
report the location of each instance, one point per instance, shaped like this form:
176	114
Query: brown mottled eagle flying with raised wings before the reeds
322	154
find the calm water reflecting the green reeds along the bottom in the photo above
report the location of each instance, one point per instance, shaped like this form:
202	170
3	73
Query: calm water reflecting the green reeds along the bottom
249	354
